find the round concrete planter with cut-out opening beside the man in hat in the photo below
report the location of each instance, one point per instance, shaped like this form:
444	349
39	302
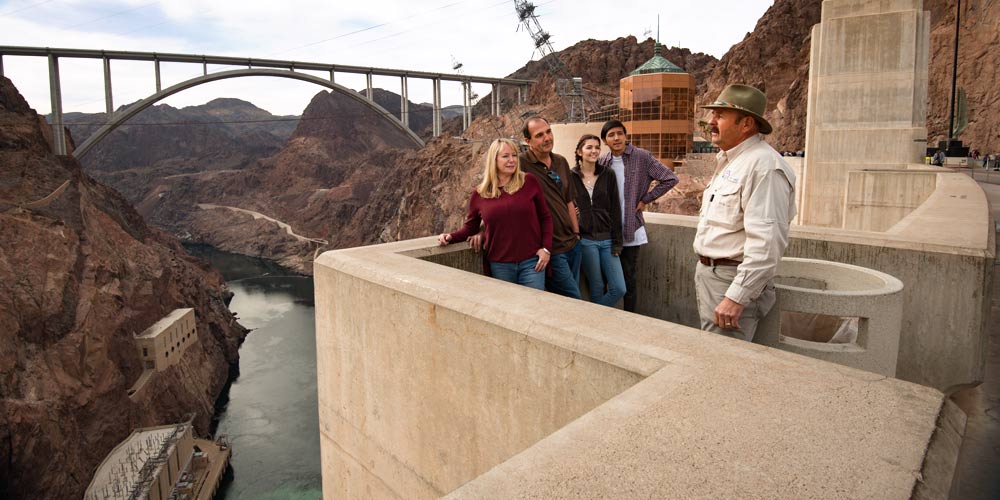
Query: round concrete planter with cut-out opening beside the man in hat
821	303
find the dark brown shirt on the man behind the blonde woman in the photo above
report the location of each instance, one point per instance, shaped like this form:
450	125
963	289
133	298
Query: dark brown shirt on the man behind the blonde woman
557	196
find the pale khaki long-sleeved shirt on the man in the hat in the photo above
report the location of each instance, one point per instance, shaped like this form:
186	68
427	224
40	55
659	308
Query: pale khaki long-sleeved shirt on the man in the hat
745	213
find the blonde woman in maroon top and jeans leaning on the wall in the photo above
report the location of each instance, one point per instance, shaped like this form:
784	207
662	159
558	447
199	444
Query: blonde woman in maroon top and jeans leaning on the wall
517	226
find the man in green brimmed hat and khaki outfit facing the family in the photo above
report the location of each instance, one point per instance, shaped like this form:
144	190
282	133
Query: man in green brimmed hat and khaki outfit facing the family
744	217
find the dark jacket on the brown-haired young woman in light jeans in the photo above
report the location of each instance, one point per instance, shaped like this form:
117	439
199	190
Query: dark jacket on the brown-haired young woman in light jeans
600	219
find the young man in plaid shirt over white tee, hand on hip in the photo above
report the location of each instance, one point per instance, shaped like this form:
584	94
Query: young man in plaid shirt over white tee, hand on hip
635	169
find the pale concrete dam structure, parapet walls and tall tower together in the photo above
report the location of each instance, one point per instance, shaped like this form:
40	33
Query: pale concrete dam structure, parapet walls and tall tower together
436	381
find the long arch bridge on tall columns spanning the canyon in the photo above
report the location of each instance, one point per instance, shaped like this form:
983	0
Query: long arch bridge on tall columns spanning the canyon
253	67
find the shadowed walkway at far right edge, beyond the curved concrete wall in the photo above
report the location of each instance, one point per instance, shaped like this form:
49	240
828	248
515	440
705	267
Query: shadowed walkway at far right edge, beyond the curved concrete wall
976	476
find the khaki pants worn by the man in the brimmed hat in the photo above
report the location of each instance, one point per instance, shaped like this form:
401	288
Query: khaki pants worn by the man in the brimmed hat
711	284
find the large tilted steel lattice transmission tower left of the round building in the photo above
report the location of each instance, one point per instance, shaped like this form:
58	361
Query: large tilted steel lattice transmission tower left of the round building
570	90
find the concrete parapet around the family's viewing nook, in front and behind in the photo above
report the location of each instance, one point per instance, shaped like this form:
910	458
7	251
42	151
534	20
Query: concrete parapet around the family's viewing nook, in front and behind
432	378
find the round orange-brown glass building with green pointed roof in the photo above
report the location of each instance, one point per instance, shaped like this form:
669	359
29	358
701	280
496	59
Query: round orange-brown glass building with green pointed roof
657	107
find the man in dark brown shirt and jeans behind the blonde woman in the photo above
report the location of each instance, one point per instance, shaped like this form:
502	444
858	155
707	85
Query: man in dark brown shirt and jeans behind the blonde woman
552	172
